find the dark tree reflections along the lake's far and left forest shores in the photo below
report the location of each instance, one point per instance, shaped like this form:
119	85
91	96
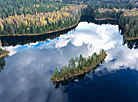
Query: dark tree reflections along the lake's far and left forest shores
14	40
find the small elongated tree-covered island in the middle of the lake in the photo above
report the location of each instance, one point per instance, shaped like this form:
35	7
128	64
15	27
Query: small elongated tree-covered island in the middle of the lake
78	66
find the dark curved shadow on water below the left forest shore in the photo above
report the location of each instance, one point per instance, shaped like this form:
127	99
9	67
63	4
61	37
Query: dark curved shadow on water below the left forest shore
14	40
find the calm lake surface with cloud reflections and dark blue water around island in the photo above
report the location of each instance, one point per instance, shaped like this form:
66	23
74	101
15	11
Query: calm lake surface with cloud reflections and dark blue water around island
26	71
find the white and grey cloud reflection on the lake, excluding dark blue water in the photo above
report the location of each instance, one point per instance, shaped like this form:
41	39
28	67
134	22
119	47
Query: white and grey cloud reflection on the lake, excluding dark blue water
27	72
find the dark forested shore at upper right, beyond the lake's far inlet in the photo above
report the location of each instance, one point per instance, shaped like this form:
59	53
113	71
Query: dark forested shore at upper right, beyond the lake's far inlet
126	14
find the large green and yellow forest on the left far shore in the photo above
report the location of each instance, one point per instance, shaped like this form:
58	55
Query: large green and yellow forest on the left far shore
36	16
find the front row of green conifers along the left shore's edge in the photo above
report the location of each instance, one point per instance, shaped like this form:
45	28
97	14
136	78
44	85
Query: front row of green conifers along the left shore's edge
10	29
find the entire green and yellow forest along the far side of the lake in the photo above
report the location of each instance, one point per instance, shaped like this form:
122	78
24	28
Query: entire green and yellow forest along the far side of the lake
20	17
